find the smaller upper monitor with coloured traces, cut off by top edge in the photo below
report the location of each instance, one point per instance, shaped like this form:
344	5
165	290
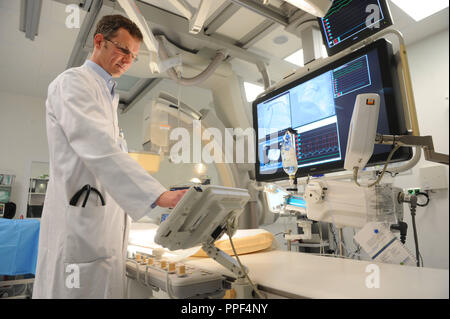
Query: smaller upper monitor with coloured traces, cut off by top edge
351	21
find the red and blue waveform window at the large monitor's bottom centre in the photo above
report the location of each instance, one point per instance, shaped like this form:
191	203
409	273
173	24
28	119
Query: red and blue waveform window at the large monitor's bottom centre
317	145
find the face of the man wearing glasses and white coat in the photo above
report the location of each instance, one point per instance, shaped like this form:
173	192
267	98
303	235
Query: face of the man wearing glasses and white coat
112	57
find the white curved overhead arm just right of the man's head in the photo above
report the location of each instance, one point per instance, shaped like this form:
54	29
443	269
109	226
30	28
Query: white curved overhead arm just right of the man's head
132	11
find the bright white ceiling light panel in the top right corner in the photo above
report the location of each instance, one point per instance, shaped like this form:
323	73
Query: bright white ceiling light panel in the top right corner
419	9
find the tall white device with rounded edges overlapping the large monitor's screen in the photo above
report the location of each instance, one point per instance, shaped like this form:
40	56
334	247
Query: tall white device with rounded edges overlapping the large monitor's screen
362	132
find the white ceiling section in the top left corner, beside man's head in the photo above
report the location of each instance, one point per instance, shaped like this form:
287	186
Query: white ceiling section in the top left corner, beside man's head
27	67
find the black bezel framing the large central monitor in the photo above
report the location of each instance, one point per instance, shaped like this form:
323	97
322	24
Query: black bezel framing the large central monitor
395	114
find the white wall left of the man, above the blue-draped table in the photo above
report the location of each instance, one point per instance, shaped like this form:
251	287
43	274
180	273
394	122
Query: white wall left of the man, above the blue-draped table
23	140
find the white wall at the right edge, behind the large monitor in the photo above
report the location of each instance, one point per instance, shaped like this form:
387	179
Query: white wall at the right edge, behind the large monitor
429	63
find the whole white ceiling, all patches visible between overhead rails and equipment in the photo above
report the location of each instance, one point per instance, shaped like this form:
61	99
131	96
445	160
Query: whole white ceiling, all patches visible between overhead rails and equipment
27	67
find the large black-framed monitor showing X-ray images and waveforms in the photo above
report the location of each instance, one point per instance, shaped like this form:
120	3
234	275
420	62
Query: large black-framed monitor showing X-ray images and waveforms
319	107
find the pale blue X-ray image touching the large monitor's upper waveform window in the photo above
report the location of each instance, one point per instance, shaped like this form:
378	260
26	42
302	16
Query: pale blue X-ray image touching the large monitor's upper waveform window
313	101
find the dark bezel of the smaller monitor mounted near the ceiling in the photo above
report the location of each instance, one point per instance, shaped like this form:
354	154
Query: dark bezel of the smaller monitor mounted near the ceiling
387	22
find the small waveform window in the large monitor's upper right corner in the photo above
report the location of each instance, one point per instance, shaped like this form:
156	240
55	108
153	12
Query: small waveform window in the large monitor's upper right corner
351	77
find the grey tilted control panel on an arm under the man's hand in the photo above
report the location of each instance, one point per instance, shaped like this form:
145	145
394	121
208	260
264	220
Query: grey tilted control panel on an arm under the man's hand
201	217
